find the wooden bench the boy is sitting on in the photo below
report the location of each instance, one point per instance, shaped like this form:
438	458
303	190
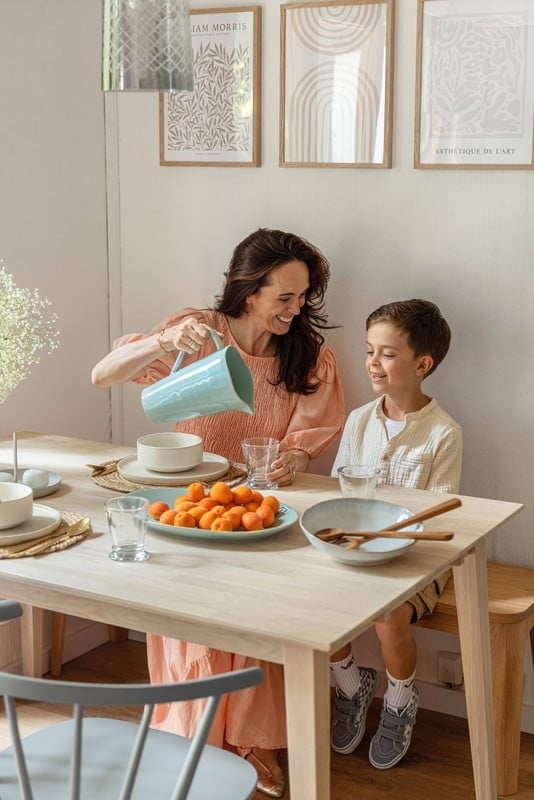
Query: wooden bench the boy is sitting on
511	616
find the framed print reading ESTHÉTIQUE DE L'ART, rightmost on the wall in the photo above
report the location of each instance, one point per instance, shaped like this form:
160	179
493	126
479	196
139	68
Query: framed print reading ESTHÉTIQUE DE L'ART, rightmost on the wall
474	104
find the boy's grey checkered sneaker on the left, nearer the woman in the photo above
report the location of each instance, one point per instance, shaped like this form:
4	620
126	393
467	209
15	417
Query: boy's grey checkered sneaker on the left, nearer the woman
348	719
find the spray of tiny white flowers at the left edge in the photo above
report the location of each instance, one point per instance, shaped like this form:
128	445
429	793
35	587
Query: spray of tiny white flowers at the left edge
27	326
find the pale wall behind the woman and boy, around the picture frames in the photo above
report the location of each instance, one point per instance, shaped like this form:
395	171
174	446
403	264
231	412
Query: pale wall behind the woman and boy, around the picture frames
461	238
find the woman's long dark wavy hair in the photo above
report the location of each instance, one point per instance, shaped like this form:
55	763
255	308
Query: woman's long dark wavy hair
251	264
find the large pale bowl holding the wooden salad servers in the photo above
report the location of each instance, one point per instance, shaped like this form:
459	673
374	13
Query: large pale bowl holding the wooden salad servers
355	514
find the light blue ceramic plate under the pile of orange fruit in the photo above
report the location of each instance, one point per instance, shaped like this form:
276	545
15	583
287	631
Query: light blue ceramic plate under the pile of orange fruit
284	518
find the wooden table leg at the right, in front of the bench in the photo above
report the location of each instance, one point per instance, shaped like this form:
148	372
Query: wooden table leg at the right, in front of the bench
470	582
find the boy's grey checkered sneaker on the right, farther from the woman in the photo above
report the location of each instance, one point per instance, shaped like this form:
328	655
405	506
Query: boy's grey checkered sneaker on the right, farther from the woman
392	740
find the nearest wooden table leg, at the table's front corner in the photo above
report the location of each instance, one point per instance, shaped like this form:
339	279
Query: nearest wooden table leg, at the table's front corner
307	693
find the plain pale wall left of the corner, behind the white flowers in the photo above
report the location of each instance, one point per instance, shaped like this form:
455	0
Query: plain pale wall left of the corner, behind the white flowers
53	203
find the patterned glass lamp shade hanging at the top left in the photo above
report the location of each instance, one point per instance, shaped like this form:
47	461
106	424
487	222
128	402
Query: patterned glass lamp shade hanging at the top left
146	46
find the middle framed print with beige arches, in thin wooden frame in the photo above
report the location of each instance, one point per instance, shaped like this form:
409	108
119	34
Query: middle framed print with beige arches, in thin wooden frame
336	83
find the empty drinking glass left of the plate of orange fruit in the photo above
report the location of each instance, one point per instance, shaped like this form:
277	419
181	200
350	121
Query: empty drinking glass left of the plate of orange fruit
127	518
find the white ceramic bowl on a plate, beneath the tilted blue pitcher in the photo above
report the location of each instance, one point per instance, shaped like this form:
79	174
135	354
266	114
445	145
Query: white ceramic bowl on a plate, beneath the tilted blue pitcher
169	452
